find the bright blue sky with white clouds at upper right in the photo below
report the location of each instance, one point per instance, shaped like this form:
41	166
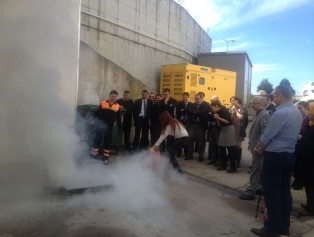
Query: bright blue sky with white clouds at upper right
278	35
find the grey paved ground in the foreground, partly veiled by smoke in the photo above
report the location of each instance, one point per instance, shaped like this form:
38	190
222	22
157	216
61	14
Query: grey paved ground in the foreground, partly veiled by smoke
141	203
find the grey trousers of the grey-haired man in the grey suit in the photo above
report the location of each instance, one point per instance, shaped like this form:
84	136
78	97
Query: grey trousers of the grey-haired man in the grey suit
255	177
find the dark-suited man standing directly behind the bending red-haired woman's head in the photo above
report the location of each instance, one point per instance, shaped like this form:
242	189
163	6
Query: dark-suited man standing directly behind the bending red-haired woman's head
168	104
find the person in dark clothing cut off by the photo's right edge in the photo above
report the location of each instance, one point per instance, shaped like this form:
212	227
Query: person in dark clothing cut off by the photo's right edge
307	163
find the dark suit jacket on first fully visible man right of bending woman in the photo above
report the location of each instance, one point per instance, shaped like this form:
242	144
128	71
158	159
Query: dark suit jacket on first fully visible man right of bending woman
200	113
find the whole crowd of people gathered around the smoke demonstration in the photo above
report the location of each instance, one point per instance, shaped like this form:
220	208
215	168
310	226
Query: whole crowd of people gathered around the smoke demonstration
281	139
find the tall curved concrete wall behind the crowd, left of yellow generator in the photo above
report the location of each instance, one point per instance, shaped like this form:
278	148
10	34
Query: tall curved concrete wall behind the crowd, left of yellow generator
137	36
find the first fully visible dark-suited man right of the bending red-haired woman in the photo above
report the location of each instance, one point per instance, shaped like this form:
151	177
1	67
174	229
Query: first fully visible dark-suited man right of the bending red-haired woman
197	126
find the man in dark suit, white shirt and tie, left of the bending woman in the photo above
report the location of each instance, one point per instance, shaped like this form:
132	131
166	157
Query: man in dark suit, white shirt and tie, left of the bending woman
142	111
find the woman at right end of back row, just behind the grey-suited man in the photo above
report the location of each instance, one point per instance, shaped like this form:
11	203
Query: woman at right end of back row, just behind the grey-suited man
239	116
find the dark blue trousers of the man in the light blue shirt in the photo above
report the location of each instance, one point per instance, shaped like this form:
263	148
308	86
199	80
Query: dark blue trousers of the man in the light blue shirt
277	172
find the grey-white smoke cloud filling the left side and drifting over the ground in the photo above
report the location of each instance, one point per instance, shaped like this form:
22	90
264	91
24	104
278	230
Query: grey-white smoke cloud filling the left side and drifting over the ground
37	148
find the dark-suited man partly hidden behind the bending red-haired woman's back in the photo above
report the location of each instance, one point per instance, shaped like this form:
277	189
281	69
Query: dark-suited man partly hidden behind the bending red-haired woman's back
182	115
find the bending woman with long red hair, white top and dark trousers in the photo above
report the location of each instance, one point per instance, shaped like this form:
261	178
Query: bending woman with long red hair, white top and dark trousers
172	127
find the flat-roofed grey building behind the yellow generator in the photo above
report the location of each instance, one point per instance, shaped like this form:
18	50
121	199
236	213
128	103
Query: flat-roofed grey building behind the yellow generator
238	62
